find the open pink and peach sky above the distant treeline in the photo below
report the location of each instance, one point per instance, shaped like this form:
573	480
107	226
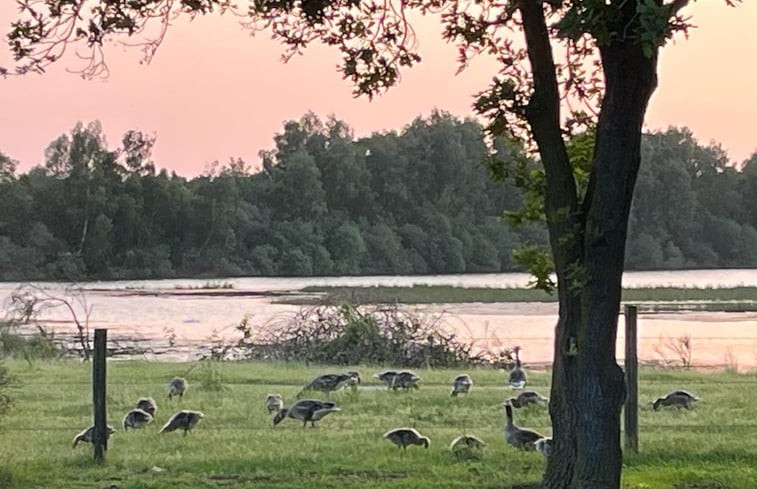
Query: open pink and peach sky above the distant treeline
214	92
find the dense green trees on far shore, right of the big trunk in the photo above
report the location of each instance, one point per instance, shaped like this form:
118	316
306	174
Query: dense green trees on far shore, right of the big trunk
692	207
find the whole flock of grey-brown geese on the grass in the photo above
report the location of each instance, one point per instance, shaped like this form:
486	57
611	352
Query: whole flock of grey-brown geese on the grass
312	410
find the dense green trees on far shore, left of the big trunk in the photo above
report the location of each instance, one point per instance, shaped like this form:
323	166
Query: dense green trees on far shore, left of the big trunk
323	203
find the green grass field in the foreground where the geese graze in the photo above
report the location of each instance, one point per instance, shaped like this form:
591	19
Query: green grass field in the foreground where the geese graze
710	447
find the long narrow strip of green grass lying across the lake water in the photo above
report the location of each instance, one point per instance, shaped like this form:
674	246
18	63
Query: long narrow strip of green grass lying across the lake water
738	298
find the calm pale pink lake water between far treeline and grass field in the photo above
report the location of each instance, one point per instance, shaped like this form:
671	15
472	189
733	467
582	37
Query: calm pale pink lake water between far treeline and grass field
149	311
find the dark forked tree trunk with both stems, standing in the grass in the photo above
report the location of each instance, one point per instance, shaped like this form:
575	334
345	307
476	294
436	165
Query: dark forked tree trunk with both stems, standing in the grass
588	245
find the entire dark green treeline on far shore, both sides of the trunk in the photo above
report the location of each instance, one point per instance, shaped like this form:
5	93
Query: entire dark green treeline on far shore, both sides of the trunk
414	202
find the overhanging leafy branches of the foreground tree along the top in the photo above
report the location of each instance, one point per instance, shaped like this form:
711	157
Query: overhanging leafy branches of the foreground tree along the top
376	38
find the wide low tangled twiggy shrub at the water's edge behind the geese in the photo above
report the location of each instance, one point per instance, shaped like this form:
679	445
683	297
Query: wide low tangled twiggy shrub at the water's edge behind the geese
347	335
